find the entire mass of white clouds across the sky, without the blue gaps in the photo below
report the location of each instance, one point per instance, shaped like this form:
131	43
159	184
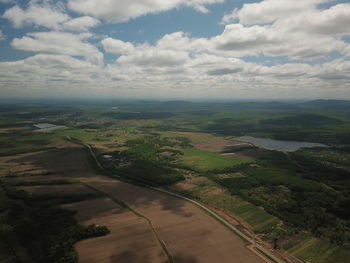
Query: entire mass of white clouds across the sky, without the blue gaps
179	63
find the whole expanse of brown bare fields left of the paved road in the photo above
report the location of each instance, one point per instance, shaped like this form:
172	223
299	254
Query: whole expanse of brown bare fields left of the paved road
190	234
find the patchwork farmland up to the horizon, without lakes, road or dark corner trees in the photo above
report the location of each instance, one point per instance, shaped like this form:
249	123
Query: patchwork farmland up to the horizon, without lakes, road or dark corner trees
295	201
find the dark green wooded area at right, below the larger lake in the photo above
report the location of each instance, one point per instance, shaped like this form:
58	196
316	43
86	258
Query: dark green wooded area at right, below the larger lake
309	199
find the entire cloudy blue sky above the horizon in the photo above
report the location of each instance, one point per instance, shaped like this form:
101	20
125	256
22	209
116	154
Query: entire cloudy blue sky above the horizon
220	49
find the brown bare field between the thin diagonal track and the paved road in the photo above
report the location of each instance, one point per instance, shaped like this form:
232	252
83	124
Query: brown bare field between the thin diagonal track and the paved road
190	234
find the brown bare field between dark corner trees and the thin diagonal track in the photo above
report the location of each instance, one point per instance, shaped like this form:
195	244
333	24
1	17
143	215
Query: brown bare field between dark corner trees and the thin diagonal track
131	239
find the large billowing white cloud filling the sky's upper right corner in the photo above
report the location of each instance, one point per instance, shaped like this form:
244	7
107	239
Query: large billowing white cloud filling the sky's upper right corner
296	29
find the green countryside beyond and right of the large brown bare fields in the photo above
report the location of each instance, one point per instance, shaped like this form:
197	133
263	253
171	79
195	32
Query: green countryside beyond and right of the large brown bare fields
302	198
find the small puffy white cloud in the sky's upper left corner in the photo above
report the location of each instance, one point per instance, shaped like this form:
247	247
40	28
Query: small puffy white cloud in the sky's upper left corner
46	16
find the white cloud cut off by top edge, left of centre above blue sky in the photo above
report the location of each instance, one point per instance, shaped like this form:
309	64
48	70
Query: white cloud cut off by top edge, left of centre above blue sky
120	10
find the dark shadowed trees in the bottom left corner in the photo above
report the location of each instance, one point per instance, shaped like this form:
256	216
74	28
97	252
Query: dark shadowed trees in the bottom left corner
44	231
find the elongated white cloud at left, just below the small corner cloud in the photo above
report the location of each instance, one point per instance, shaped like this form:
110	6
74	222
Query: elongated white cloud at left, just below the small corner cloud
59	43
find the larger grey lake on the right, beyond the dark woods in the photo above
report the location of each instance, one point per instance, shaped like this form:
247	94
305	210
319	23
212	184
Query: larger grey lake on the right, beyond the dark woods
271	144
